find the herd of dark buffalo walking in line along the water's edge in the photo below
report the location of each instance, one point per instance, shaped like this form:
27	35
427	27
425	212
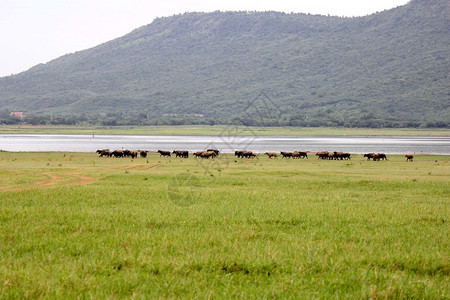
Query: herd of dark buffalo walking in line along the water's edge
212	153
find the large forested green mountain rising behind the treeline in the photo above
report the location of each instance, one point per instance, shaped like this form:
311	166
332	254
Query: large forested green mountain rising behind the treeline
386	69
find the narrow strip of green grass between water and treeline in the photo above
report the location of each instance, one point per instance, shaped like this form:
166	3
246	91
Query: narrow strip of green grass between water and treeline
220	129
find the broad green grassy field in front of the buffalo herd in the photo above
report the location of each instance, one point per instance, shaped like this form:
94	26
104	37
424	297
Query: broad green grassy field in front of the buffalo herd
75	226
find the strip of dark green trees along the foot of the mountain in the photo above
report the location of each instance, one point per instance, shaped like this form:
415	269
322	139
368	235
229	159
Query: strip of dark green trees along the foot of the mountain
123	119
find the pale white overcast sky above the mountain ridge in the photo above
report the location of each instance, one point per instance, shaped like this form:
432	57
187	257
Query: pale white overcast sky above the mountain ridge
37	31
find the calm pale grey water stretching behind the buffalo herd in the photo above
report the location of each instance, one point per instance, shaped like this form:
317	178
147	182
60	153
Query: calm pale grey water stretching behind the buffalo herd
353	144
